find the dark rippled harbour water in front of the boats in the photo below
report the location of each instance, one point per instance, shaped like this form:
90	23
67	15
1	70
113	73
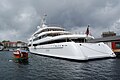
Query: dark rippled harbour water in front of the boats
46	68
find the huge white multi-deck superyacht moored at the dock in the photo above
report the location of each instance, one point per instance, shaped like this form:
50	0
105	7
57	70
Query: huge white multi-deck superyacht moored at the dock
56	42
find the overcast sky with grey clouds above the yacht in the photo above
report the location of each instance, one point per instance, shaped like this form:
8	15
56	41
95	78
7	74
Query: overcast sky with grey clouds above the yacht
20	18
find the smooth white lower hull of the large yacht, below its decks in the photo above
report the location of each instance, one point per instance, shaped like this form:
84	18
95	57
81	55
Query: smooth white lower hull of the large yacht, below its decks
72	50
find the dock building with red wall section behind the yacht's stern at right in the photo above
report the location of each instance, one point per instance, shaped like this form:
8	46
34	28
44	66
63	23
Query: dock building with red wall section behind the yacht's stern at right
111	40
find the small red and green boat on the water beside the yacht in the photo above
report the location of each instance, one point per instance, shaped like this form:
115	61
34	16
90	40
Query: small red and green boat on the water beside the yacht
20	55
